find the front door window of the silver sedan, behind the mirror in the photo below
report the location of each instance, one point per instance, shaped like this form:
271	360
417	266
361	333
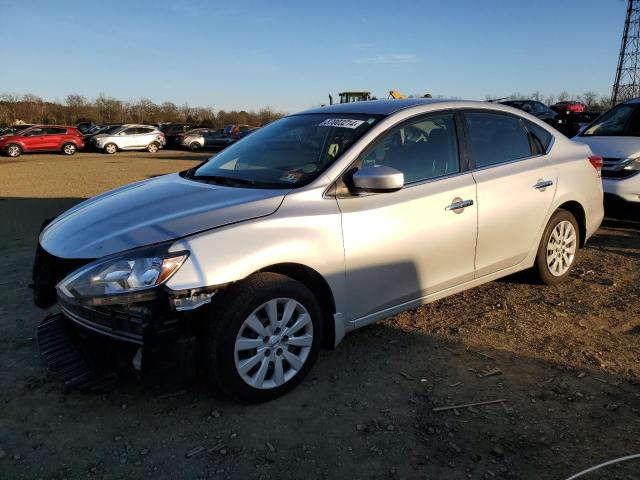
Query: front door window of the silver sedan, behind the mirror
423	149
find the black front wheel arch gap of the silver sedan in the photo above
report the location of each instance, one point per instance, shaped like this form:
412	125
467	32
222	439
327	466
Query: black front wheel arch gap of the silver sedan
320	288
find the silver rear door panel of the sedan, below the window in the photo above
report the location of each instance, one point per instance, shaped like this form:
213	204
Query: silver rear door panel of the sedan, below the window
511	211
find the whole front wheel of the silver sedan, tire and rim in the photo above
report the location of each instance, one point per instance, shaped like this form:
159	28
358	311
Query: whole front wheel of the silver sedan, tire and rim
263	336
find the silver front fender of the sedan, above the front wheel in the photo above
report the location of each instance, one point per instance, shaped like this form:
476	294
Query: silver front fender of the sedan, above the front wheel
306	230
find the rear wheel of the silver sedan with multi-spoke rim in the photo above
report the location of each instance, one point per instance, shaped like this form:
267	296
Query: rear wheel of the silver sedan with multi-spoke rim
558	248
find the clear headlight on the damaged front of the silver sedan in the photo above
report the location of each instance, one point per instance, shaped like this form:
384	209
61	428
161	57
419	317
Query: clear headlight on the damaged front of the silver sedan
122	278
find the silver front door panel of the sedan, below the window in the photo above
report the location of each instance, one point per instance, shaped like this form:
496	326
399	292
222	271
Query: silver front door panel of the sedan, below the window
404	245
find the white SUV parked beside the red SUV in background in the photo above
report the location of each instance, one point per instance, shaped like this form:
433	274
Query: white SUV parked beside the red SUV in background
130	137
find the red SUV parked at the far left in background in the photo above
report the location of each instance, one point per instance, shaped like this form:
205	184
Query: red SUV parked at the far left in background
41	138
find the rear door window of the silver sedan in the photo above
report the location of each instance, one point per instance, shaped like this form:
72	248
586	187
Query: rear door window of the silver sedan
495	138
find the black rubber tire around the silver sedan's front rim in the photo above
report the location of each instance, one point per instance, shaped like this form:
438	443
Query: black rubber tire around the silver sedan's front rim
229	311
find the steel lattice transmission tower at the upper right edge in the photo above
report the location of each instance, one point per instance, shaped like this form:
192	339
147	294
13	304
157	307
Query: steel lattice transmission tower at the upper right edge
627	84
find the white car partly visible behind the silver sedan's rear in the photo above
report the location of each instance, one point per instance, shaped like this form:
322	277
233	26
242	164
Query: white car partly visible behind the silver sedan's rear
616	137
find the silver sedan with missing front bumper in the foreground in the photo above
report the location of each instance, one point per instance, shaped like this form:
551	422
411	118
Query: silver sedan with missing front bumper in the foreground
313	226
